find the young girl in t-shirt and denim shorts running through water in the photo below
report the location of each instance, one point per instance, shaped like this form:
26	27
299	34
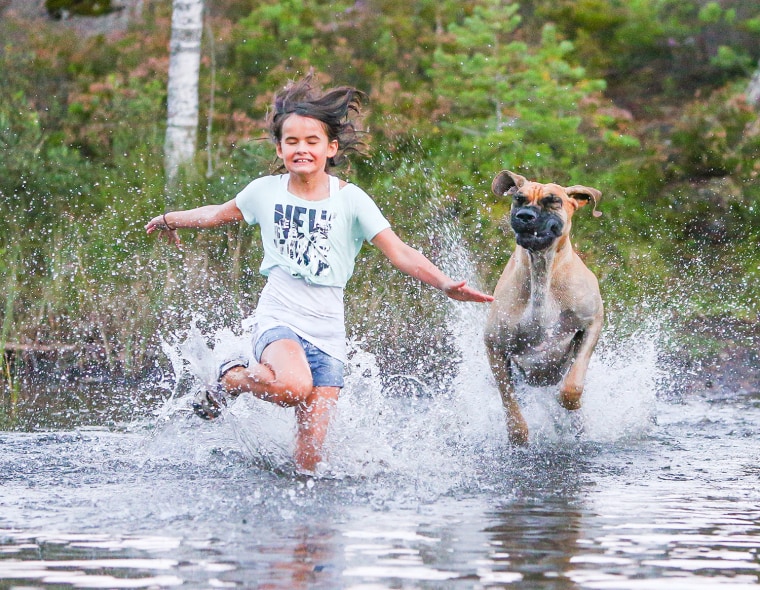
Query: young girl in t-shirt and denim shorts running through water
312	228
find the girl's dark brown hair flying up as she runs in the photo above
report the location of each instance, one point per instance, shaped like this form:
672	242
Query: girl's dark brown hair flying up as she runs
334	108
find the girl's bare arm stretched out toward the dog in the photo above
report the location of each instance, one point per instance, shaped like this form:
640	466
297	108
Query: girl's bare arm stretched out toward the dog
417	265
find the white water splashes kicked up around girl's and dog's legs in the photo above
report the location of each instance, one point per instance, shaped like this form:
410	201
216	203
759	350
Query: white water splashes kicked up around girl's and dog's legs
435	439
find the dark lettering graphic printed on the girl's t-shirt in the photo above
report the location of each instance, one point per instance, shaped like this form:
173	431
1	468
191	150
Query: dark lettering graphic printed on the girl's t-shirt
301	235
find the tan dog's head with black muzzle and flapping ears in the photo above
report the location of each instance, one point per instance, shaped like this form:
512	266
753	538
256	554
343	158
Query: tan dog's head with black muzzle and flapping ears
541	213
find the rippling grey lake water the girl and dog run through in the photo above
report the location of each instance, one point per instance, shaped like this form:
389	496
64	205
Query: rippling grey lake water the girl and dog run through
659	490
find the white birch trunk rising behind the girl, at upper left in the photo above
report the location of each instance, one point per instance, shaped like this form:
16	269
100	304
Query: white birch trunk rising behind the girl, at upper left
184	67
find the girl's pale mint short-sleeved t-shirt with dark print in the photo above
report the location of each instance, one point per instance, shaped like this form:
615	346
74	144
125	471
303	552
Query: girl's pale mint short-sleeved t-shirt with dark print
317	241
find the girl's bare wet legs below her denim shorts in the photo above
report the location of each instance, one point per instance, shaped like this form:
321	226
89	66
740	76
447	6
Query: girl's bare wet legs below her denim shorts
283	377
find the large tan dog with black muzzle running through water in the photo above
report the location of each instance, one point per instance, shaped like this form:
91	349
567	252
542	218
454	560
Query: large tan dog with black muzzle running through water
547	313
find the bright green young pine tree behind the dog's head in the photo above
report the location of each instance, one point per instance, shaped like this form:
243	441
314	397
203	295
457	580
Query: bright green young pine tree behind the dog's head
504	103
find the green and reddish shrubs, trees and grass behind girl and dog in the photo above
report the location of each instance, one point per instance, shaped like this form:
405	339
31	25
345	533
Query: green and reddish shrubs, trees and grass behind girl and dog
644	100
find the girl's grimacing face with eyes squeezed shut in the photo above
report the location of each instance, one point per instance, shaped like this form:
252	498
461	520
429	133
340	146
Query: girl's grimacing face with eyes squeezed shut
305	147
